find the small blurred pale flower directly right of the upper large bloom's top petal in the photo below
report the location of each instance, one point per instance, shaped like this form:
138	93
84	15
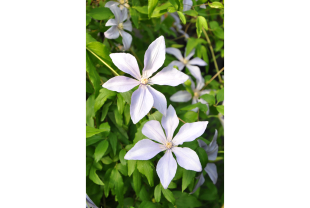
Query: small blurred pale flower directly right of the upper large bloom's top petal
195	71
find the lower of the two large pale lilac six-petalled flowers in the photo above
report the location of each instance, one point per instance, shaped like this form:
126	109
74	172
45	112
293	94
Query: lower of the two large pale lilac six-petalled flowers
167	166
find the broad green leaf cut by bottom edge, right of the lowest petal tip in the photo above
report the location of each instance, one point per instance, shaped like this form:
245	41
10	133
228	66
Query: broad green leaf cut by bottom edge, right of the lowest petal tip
185	200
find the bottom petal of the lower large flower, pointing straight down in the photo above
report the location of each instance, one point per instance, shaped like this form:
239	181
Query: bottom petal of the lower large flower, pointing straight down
166	169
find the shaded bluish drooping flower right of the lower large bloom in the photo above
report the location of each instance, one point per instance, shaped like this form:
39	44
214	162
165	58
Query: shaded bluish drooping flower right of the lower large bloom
210	168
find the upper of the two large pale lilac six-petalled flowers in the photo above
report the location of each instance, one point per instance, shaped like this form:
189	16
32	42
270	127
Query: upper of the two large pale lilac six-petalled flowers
145	97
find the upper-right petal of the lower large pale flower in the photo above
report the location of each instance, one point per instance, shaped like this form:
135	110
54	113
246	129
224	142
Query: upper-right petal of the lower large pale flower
189	132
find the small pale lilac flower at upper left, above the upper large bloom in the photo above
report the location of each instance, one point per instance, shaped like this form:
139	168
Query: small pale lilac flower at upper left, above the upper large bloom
118	26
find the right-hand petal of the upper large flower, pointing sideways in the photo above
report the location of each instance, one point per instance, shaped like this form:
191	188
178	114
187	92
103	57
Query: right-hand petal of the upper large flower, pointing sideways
169	76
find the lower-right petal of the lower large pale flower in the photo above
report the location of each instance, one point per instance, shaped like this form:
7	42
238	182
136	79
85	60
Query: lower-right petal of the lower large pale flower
187	158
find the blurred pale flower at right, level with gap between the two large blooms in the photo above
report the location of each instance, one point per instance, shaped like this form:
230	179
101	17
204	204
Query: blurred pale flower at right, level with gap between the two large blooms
184	96
